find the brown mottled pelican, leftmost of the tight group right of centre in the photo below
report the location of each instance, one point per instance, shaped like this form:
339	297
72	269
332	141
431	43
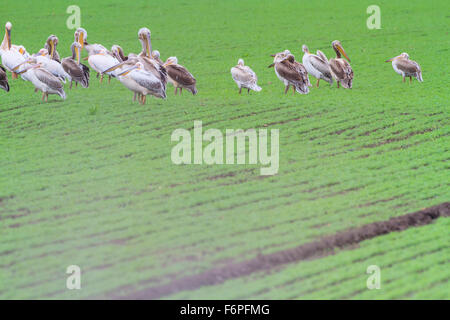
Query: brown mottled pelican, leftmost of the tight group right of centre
290	72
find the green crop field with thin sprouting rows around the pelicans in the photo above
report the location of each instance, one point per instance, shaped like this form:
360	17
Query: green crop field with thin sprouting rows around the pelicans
89	181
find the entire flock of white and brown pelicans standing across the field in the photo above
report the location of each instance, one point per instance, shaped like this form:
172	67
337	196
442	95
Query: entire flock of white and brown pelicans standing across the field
145	73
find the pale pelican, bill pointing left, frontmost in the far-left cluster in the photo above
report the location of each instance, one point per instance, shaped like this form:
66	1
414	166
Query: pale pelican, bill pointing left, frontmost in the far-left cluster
43	81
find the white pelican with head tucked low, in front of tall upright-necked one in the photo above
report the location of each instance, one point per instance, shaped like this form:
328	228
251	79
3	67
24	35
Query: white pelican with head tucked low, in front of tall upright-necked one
142	82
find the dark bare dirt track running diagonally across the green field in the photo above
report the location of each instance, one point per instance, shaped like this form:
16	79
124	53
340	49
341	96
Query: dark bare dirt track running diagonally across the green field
312	250
